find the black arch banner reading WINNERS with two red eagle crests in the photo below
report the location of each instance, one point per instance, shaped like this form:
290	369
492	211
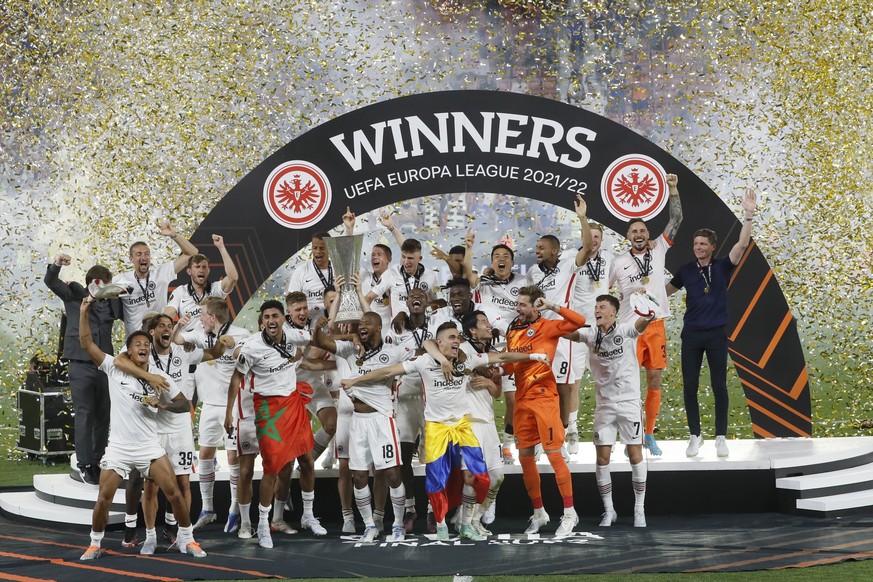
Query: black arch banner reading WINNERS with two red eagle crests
482	141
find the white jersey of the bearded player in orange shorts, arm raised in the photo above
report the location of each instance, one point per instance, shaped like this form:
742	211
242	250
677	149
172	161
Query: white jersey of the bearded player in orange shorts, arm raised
627	273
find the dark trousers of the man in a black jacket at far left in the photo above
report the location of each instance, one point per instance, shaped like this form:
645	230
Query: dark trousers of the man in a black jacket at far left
89	388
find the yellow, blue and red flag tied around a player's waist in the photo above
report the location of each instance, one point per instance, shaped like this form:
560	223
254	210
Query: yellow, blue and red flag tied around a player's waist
445	446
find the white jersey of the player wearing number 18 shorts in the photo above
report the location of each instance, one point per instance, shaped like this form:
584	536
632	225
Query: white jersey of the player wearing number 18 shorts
378	395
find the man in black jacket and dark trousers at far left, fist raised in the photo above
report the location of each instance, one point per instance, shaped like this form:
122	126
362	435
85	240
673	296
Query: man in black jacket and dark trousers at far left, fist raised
88	385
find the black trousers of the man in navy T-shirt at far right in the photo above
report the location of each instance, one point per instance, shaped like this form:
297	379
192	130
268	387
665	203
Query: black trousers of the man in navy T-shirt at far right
713	343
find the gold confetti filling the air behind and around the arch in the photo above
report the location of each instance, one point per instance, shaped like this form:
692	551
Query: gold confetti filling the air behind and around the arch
115	115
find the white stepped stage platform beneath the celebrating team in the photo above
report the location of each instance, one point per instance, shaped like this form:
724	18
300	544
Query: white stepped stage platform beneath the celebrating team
816	477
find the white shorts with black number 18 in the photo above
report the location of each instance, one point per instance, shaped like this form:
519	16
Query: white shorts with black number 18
373	441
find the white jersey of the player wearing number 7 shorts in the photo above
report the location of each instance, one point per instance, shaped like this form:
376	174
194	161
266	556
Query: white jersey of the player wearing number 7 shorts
613	362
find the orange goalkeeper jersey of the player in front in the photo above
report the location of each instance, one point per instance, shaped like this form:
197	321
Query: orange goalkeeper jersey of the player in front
535	379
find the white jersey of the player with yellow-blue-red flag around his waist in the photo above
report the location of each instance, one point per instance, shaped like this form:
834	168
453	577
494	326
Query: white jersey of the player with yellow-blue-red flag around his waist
445	401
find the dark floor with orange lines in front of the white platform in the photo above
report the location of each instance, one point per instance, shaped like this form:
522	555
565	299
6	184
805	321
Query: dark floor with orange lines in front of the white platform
711	543
